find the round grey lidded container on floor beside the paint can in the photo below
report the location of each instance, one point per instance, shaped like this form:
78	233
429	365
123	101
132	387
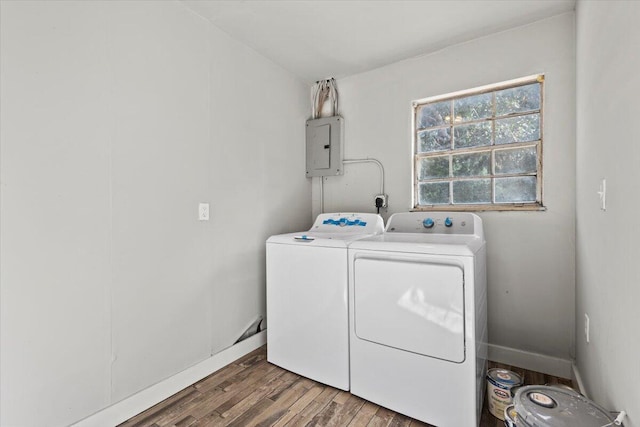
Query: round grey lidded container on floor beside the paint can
548	406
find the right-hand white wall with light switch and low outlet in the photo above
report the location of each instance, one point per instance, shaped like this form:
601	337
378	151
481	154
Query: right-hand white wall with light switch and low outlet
608	84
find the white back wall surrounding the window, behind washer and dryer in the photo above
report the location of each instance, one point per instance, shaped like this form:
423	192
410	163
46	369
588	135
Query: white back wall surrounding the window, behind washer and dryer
530	254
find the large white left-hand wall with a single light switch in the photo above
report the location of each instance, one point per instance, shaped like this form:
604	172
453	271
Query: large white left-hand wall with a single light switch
117	118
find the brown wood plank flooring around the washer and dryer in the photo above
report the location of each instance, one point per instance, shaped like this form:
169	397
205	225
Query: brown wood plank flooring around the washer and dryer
253	392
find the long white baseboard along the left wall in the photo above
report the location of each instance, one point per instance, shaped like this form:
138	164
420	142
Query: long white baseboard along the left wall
139	402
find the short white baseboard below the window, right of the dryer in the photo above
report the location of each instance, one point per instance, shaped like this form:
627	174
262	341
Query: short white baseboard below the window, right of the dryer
532	361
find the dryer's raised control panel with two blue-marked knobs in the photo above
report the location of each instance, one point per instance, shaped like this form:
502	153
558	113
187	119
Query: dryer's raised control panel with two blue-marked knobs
435	223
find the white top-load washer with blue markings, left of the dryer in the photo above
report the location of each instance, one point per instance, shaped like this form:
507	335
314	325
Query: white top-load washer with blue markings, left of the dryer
307	303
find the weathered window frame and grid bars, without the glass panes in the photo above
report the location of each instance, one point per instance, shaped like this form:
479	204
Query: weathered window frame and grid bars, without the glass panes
537	205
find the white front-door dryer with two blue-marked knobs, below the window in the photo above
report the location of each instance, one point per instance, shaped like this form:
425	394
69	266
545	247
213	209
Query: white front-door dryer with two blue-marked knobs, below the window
418	315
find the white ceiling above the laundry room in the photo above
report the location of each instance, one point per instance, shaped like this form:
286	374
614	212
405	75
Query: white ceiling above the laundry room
317	39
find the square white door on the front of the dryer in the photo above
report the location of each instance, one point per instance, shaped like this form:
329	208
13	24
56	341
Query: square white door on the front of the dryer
412	305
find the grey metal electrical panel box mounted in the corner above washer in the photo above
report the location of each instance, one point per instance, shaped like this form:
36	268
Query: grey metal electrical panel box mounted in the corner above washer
324	146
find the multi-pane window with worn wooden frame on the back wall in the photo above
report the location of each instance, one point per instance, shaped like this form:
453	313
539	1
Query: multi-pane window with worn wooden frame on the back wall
480	149
